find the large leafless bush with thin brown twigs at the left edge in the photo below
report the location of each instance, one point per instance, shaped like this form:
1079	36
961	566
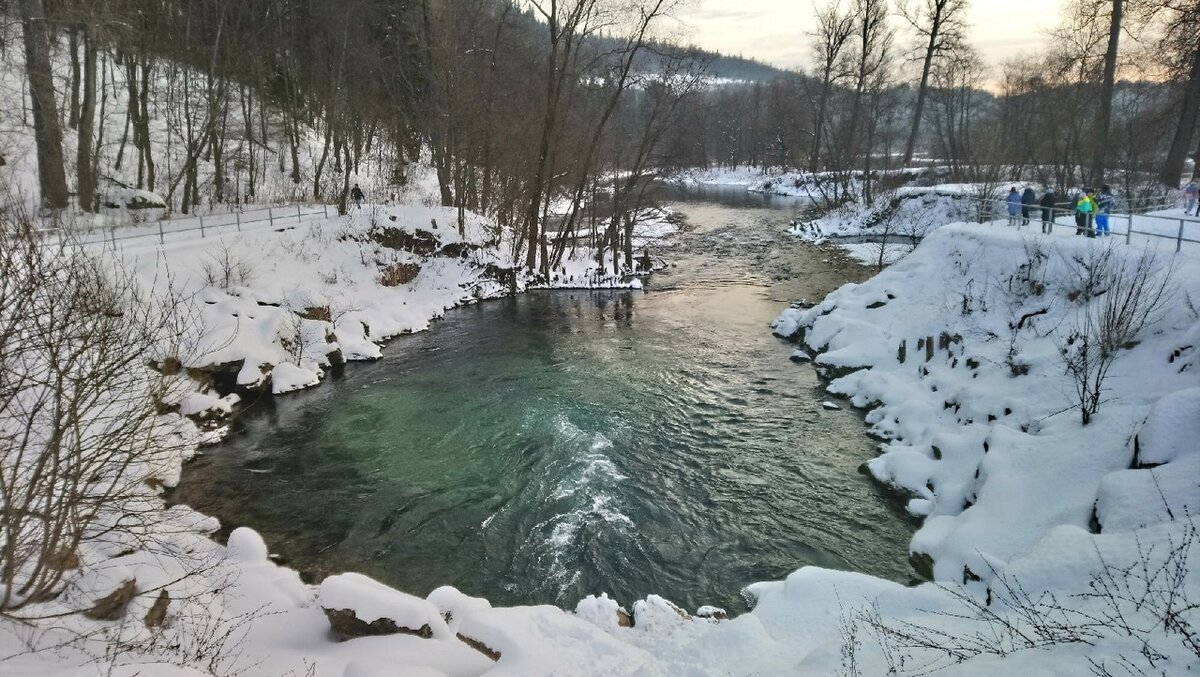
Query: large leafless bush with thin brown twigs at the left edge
81	411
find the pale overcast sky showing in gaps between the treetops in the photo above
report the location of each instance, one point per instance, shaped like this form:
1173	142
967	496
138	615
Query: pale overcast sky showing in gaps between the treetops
776	31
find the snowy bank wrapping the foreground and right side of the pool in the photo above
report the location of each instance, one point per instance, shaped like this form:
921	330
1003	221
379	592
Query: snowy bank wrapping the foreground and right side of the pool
236	609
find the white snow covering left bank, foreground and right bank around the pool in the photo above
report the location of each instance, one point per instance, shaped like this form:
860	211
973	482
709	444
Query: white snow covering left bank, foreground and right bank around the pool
982	439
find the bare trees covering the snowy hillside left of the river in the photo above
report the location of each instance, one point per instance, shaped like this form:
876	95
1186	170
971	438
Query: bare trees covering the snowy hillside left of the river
523	107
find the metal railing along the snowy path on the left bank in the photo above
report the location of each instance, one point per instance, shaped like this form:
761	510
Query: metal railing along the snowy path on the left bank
262	219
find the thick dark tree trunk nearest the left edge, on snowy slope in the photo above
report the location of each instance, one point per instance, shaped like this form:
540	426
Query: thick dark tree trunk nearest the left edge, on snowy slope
47	133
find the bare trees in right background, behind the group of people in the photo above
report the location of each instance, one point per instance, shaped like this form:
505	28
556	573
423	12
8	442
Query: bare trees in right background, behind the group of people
892	82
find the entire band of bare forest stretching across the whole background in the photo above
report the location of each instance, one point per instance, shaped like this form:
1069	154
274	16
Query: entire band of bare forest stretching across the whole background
527	106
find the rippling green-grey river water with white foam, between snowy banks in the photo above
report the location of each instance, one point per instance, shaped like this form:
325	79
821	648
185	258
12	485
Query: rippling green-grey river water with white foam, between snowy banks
557	445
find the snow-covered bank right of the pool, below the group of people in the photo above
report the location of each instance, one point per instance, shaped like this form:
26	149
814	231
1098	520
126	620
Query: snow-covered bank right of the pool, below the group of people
968	356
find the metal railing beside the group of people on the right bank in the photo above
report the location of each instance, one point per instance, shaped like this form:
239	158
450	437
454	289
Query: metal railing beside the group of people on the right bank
1178	229
